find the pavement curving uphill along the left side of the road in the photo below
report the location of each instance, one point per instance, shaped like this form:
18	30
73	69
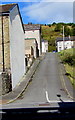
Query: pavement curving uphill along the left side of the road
22	85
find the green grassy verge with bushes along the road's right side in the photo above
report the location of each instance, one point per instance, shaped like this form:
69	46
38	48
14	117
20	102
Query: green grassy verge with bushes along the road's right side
68	59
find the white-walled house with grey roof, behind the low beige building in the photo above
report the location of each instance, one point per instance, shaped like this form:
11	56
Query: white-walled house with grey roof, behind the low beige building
33	31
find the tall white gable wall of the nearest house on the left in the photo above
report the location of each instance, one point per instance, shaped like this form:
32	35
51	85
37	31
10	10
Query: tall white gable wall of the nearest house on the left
17	56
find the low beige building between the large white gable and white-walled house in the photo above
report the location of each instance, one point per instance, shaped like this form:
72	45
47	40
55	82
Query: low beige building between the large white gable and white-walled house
31	50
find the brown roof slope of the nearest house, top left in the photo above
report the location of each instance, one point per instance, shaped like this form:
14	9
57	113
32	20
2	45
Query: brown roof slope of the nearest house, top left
6	8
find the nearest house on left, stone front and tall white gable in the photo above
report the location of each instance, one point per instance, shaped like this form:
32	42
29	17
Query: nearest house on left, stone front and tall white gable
12	57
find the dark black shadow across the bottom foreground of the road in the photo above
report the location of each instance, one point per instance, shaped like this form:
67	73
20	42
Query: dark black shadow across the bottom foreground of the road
64	111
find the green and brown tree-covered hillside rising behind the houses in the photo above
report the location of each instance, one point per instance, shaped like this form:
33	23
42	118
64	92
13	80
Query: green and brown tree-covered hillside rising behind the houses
51	31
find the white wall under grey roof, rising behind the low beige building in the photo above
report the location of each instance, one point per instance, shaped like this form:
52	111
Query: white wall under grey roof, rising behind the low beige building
34	34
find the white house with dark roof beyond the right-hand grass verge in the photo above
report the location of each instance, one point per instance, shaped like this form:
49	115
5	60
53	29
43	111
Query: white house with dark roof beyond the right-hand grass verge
67	43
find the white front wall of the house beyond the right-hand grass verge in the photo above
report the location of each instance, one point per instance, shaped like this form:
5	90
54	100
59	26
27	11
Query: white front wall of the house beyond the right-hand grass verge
66	44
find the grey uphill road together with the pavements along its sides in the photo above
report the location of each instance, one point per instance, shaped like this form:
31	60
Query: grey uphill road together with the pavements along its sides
45	82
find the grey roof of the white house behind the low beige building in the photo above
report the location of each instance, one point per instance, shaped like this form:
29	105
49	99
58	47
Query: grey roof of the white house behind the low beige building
28	27
